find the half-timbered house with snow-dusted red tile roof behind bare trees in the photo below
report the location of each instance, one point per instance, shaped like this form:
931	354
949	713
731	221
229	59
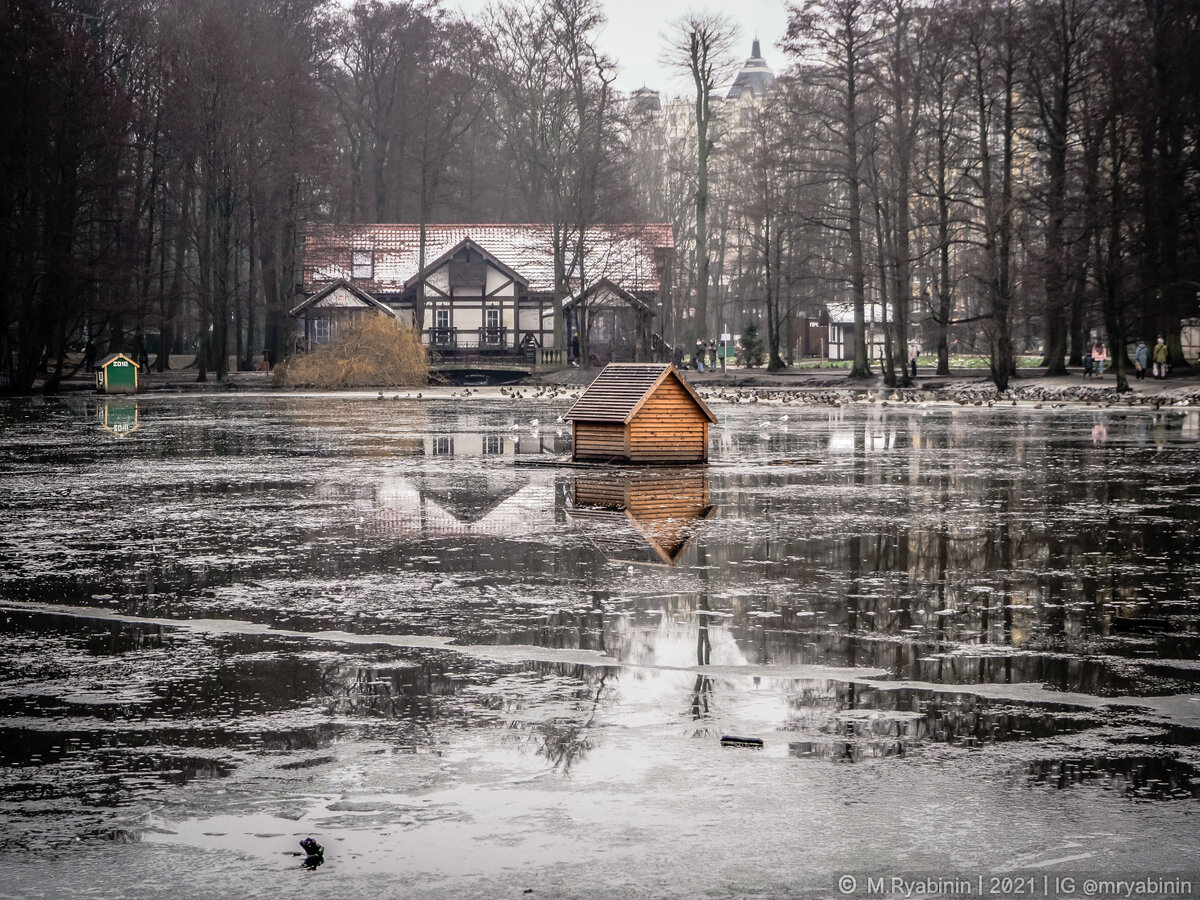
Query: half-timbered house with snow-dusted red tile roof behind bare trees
490	289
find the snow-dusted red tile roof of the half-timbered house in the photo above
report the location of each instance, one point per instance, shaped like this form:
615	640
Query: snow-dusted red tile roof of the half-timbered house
625	254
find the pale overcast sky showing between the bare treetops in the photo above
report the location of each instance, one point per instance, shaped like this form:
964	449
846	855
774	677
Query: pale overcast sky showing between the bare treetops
635	29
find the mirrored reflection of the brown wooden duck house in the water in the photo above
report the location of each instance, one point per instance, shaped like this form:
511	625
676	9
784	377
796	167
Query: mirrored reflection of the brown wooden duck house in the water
641	520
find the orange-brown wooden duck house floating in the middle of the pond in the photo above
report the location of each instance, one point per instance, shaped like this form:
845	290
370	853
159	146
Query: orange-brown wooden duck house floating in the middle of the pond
640	413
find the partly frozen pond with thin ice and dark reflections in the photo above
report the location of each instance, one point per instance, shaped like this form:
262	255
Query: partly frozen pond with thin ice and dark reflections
968	638
